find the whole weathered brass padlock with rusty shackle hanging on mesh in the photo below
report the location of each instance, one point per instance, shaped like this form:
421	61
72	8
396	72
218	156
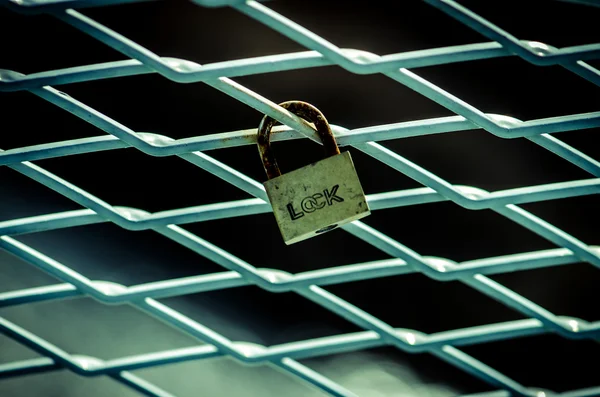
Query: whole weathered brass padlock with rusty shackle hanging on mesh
316	198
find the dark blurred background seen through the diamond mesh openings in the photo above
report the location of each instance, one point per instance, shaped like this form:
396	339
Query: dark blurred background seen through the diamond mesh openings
151	103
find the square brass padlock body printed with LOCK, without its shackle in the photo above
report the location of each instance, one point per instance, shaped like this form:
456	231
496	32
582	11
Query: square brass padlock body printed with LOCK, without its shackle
317	198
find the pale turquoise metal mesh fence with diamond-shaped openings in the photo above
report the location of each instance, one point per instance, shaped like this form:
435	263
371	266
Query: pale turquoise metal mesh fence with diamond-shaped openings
310	284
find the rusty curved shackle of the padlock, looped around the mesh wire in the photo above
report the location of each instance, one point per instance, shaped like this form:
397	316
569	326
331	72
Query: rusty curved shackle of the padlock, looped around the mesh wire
307	112
